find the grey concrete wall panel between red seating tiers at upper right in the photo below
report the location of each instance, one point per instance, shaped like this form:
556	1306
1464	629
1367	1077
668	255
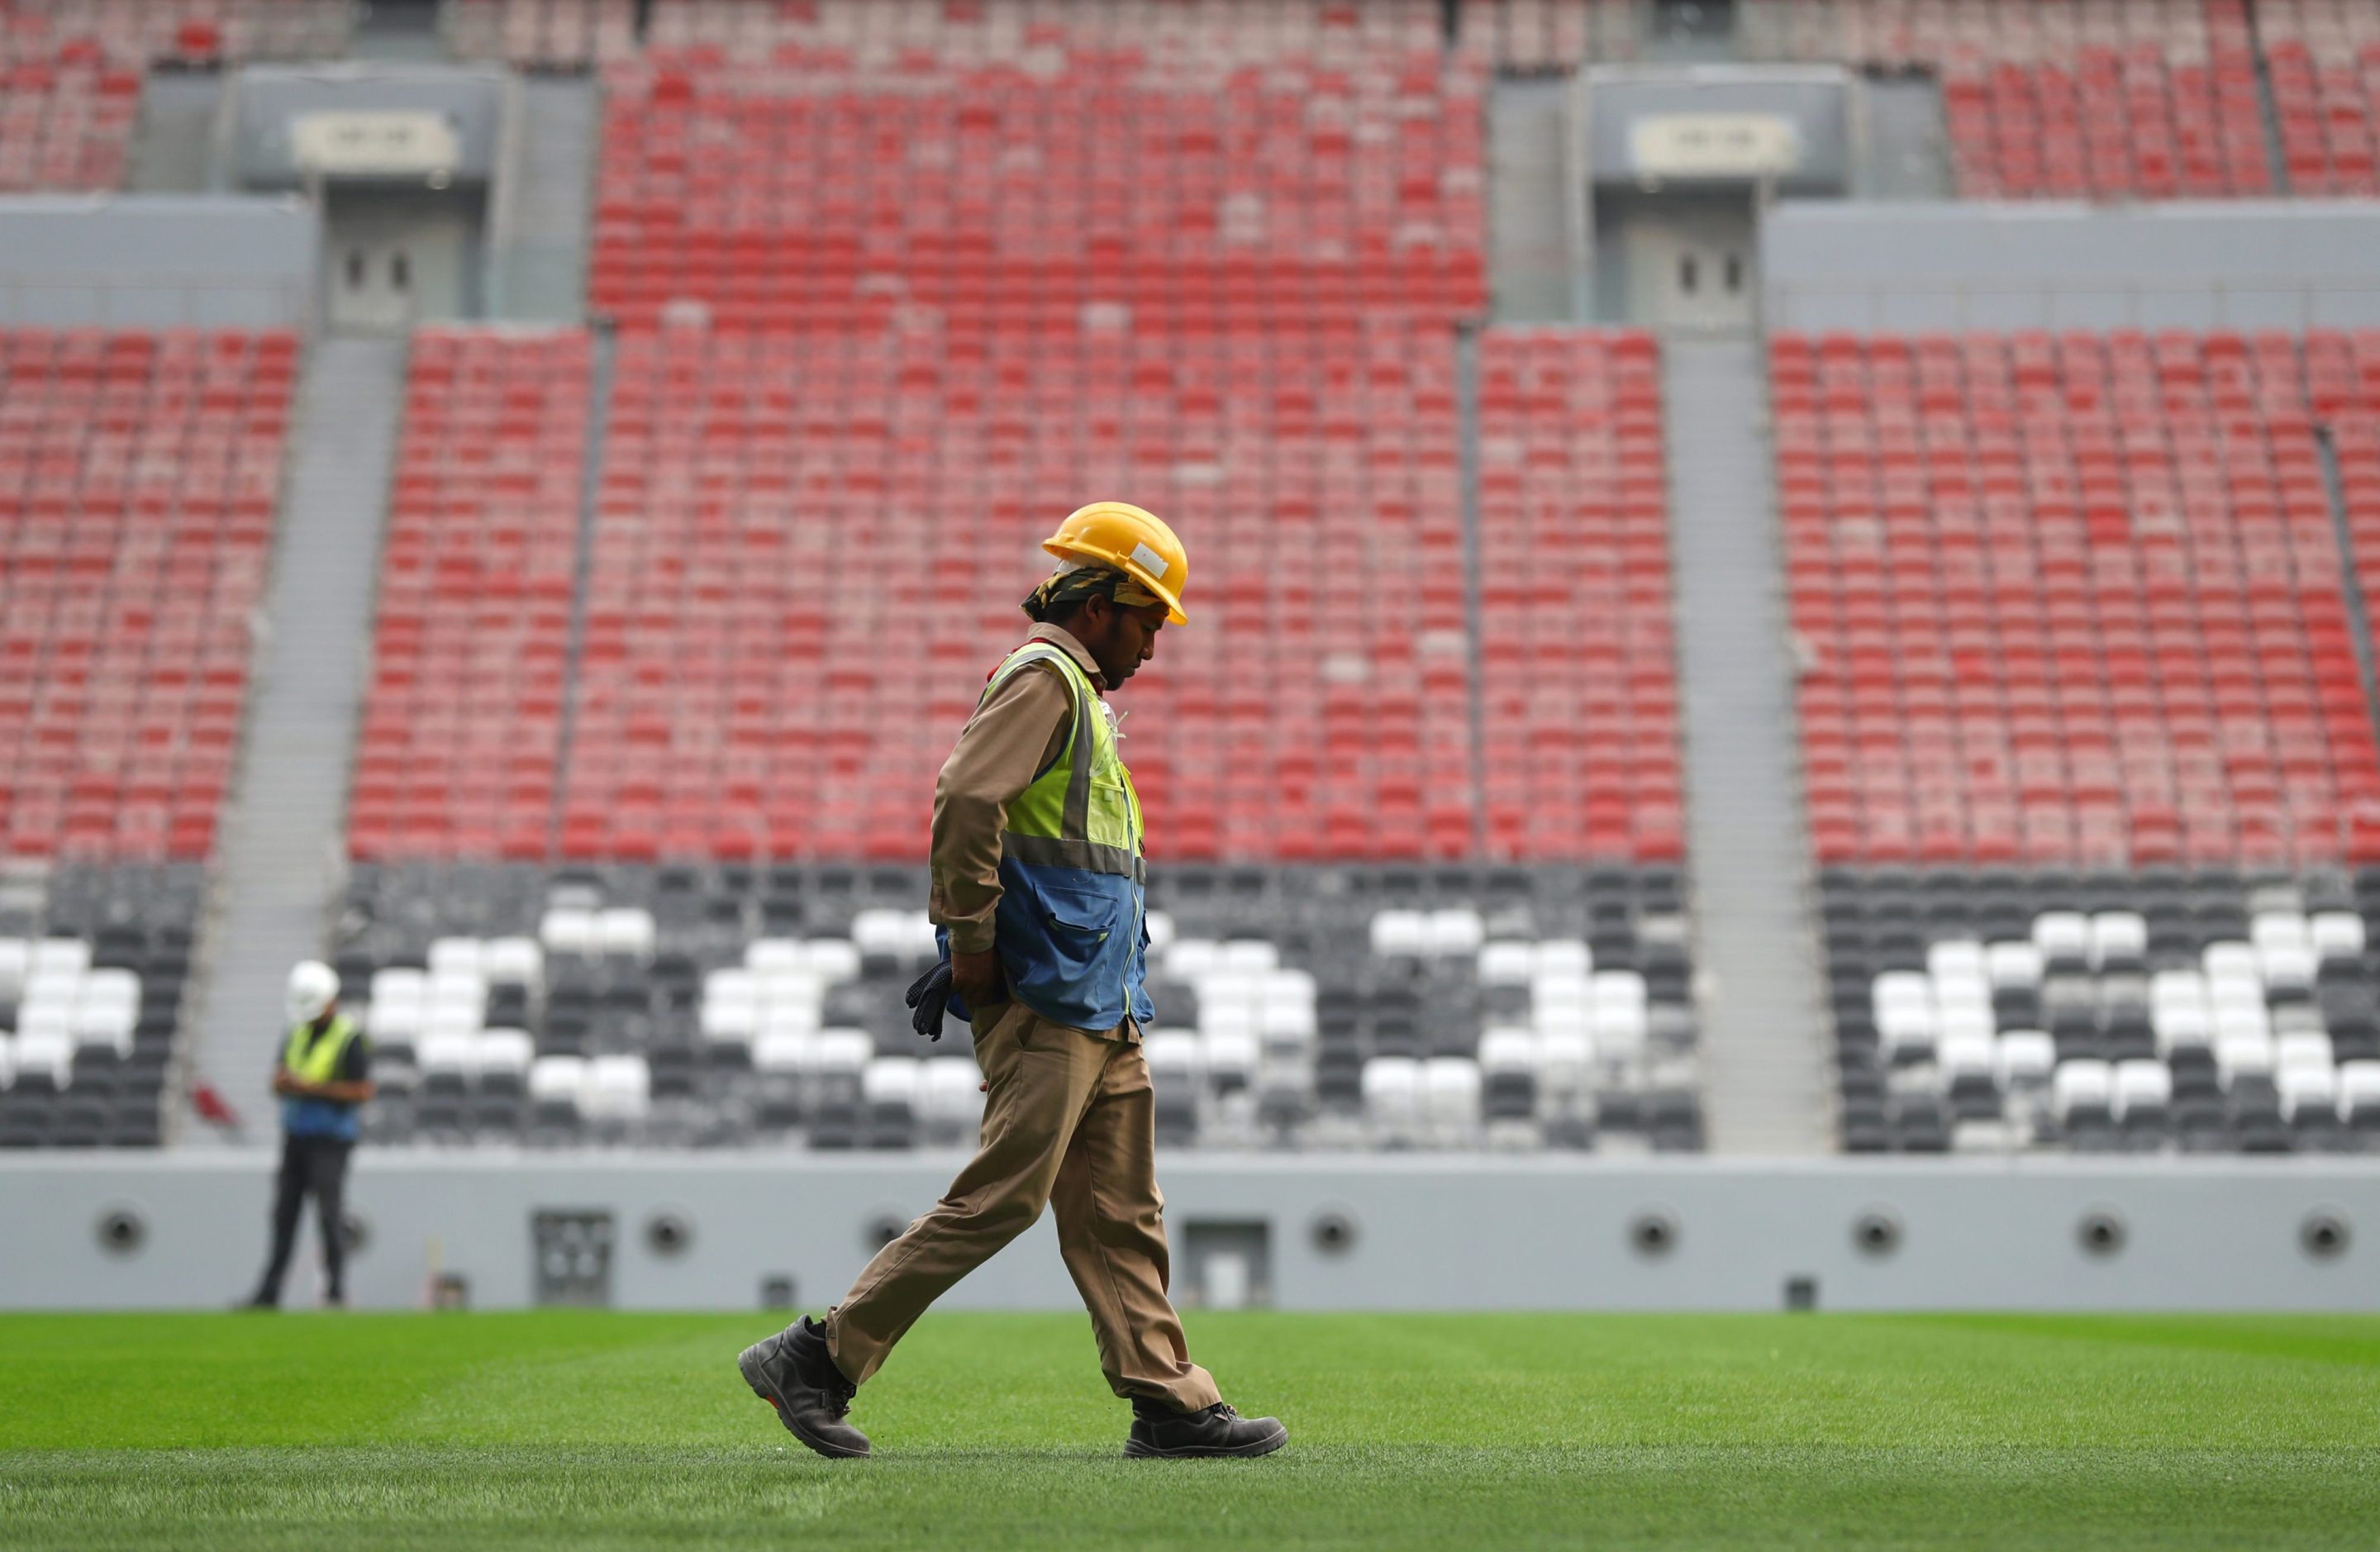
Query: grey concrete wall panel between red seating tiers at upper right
2046	265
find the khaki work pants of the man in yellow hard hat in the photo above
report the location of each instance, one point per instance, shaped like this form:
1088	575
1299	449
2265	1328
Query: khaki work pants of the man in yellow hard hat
1070	1122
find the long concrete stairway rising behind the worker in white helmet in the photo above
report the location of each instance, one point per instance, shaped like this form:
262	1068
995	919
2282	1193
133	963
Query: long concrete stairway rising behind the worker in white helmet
282	858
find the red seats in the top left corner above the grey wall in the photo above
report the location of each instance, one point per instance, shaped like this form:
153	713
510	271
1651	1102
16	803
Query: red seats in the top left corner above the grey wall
70	73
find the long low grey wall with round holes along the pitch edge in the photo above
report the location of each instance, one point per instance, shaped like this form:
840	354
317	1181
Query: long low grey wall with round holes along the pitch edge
1429	1232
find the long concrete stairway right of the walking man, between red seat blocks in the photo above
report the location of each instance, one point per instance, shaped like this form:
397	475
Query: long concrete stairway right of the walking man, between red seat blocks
1765	1022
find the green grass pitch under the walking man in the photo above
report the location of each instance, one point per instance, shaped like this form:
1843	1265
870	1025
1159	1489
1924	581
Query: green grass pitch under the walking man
996	1432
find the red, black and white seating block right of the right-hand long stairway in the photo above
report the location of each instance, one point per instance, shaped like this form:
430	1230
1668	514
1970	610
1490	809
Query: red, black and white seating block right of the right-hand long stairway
2086	734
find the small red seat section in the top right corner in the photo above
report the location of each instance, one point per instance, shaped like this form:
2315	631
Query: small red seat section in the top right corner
2324	63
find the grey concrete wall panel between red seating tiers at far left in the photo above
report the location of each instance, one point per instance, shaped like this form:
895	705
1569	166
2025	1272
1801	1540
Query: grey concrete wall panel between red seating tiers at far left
158	261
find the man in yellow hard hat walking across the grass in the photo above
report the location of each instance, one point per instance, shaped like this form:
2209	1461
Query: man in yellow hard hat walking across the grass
1039	894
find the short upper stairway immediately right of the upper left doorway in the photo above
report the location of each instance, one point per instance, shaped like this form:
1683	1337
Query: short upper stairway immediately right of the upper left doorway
544	270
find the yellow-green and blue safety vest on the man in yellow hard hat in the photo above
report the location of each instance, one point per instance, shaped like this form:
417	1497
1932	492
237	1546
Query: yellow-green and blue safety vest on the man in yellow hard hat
1072	927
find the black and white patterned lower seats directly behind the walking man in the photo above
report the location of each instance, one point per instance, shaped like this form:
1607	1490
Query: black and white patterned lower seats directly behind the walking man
760	1006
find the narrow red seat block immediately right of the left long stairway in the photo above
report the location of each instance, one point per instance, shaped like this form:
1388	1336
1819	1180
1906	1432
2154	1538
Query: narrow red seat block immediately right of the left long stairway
463	722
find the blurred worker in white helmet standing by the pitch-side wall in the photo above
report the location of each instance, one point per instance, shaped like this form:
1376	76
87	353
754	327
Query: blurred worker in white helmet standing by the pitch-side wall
322	1077
